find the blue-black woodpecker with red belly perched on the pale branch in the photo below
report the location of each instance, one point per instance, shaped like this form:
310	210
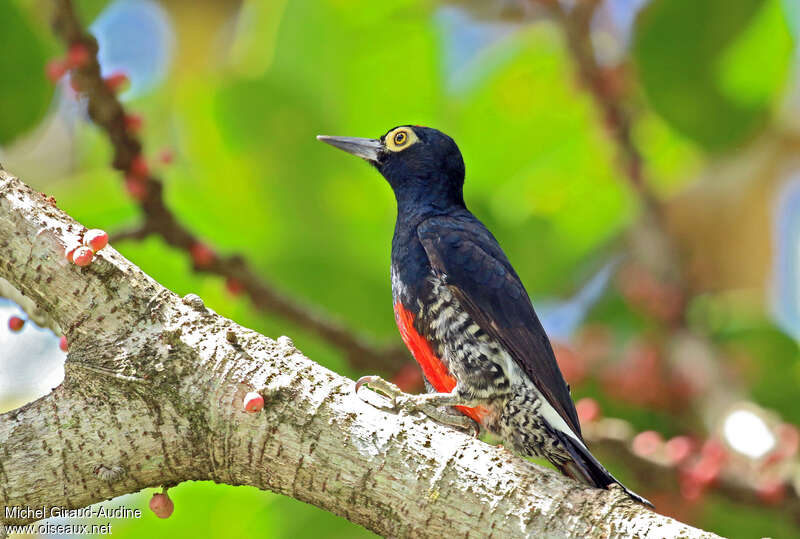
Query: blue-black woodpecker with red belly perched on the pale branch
464	314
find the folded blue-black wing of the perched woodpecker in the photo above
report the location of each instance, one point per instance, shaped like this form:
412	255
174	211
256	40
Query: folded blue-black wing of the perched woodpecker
463	252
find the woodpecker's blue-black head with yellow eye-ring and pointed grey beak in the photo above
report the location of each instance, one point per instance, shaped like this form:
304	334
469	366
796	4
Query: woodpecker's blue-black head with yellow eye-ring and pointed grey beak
423	165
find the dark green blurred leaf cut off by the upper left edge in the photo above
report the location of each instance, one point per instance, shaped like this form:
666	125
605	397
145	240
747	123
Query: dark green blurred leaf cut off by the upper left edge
25	92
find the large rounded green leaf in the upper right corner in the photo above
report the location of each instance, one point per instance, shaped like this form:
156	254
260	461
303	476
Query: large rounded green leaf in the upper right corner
713	68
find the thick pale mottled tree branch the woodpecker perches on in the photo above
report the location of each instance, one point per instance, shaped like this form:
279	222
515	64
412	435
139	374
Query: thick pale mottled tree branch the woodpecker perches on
153	390
